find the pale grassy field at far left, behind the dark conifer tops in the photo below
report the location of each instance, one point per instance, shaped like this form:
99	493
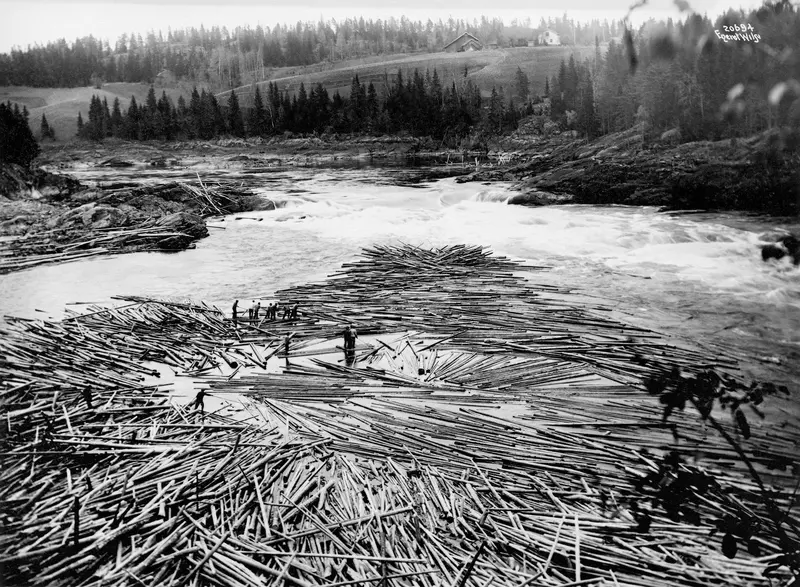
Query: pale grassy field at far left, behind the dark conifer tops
61	105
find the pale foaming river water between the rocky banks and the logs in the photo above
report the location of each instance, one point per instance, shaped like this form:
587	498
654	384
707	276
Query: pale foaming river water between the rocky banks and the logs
697	277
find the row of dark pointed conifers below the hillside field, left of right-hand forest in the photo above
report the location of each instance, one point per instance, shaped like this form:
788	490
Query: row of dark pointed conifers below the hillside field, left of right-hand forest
419	105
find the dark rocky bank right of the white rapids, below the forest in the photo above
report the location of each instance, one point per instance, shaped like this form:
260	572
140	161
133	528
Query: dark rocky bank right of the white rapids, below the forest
758	174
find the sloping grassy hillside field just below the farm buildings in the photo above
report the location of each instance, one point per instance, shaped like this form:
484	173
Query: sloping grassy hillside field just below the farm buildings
487	68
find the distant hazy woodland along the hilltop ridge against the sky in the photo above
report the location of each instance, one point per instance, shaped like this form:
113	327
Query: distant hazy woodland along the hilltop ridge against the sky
221	58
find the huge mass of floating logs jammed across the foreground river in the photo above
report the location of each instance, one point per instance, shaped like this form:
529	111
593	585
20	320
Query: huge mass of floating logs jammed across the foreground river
488	431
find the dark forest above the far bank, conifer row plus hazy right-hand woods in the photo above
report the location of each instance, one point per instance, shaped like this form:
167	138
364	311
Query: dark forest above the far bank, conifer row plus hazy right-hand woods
675	81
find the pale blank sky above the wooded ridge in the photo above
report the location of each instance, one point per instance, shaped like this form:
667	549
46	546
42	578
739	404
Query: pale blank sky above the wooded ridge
28	22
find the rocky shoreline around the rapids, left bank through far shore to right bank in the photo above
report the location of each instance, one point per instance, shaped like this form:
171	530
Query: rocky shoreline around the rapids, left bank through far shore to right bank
49	215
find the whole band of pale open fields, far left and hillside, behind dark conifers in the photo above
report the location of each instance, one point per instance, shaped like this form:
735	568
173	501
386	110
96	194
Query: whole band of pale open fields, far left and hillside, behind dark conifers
486	68
